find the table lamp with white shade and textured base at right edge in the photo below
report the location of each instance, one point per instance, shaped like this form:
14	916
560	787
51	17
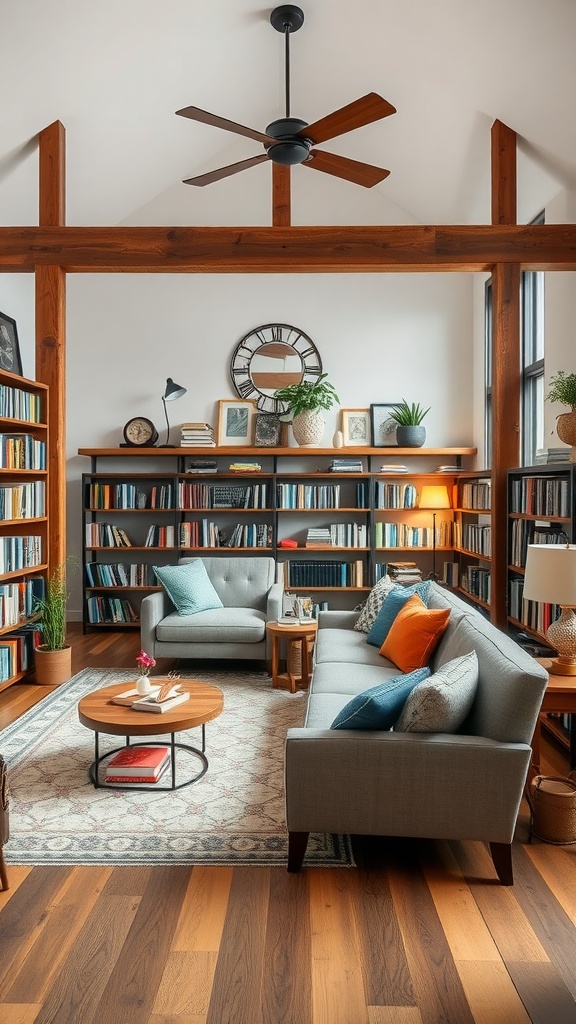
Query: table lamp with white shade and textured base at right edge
551	578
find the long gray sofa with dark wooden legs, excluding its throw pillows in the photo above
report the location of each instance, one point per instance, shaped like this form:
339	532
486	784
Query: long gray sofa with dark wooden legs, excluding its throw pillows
467	786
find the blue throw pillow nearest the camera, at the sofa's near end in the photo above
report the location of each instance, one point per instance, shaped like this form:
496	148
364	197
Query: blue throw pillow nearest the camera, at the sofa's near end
380	707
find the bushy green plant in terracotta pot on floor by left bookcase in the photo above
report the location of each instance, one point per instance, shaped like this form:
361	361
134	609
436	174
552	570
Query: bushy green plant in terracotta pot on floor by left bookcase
53	658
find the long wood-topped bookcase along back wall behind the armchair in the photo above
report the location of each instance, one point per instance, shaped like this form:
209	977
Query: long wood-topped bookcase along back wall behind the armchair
331	530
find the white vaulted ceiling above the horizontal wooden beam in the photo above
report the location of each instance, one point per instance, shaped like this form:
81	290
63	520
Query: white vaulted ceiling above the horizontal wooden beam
114	72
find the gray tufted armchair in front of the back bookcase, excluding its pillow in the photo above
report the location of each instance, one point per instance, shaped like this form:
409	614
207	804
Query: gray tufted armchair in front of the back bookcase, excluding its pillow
251	598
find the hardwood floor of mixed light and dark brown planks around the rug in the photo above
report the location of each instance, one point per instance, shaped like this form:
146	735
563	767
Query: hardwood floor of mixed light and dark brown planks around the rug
421	933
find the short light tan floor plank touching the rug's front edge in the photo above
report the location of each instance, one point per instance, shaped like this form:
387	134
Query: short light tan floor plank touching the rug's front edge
203	914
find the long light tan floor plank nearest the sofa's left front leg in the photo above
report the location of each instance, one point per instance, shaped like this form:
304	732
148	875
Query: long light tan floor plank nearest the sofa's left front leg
338	987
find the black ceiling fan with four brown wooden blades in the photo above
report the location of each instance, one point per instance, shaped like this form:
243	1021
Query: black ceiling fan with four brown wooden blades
291	141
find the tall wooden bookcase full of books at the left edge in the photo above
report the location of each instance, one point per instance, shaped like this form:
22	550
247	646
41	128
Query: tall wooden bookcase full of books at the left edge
24	521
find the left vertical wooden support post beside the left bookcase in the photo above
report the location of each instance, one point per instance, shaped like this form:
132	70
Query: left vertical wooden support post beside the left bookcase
51	334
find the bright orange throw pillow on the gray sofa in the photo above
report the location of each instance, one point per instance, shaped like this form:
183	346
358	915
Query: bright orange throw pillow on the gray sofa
415	634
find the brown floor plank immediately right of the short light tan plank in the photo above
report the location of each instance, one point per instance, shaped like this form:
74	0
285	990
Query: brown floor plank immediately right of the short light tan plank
238	979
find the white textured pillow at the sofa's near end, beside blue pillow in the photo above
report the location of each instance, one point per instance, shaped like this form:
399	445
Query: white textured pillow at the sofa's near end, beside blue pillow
441	703
